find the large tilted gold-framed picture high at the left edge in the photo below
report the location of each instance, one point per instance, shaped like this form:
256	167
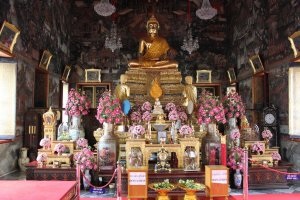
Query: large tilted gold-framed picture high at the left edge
8	37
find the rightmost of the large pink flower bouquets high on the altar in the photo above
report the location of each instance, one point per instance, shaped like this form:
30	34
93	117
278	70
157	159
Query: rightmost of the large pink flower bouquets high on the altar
233	105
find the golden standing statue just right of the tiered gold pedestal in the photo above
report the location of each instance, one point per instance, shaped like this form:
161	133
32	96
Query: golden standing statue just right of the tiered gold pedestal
190	94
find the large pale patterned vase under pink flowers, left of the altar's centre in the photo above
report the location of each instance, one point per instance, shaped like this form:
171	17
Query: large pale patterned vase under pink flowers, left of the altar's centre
107	148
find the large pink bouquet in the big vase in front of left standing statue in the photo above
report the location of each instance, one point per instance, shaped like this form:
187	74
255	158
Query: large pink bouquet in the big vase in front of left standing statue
109	109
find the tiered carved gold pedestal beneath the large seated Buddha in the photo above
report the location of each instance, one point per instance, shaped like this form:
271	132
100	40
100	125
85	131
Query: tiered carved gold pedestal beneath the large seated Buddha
139	81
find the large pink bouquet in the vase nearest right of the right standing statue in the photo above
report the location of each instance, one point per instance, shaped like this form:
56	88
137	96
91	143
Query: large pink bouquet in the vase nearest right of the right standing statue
210	109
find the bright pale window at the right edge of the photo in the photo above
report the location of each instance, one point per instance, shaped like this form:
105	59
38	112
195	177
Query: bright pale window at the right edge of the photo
294	103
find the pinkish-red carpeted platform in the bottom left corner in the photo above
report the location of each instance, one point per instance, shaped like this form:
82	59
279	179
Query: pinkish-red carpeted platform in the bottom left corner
37	190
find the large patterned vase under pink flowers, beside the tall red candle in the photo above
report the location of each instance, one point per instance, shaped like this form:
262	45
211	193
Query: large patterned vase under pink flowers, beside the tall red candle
211	146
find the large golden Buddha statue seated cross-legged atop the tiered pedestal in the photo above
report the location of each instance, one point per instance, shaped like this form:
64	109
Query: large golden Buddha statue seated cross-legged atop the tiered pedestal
153	50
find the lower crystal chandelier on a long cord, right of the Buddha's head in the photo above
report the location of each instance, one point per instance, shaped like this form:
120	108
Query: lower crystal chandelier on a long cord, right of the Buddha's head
189	44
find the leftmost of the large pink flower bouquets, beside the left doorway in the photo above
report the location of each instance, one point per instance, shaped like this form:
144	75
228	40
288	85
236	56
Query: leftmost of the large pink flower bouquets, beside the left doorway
77	104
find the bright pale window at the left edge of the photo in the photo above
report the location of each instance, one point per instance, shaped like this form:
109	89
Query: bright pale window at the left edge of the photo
8	76
